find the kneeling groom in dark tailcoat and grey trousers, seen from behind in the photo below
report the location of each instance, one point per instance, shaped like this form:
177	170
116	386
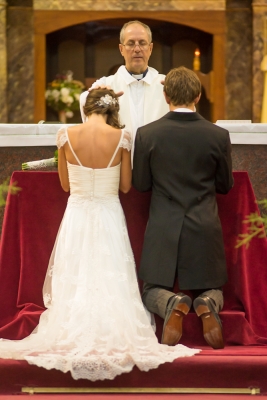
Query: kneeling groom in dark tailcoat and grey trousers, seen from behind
185	160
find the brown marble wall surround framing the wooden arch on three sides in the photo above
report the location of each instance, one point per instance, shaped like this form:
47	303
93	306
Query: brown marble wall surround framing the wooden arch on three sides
244	78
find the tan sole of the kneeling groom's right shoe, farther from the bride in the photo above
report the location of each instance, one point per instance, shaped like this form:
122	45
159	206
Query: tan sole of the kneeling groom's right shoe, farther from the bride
212	330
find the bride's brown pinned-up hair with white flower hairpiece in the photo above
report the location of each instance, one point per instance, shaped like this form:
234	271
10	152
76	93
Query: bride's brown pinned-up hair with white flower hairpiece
104	102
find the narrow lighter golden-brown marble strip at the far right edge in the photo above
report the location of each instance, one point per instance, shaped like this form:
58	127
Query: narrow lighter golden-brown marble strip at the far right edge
259	14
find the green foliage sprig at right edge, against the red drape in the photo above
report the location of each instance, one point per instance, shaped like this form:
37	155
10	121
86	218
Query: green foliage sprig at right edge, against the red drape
256	227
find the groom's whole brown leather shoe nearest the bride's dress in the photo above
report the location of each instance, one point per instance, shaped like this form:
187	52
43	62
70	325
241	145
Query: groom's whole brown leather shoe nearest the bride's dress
178	307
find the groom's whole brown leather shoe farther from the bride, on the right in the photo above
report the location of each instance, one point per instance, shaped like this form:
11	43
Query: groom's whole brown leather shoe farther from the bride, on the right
212	326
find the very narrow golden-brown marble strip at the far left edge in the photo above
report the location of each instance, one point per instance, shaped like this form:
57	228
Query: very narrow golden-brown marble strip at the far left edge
3	64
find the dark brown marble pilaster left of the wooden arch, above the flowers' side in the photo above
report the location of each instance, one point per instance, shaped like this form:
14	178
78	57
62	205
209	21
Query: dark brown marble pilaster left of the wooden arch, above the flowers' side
20	61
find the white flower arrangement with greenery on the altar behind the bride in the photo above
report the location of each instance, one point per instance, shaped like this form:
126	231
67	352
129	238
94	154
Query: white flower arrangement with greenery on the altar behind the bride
63	93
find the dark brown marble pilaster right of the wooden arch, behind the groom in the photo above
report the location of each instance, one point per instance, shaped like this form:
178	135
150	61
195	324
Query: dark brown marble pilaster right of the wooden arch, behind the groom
238	99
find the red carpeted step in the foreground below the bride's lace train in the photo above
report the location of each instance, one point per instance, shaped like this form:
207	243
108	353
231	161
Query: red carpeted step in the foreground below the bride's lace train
234	367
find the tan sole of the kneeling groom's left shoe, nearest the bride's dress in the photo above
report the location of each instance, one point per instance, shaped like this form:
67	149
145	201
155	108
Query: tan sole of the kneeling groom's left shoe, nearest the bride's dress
173	330
